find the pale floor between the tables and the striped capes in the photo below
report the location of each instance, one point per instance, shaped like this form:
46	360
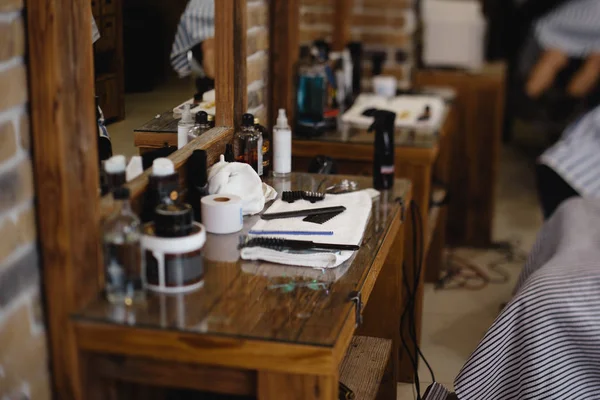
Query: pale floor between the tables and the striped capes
454	321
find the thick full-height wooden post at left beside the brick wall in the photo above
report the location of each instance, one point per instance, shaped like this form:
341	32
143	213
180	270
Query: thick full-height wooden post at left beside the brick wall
66	171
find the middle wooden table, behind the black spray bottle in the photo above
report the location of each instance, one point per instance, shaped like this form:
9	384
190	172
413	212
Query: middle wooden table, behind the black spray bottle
422	159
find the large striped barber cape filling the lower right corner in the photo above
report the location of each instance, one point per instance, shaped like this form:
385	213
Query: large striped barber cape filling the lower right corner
546	342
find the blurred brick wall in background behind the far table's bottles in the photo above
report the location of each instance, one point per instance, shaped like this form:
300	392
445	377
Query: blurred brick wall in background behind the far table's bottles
381	25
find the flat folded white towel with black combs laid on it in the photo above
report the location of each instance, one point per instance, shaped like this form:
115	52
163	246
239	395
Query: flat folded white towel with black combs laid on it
348	228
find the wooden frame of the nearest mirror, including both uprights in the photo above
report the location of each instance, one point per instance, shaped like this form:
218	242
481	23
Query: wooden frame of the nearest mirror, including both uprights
64	141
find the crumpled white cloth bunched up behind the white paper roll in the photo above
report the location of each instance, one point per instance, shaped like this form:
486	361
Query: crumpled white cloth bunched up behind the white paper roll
241	180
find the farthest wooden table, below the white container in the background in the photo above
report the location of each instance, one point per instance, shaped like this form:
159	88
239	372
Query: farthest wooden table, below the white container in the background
479	108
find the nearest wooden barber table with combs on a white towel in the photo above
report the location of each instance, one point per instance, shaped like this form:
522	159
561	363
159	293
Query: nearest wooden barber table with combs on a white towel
240	334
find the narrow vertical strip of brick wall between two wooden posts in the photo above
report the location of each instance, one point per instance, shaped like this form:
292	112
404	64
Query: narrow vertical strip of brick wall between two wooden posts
258	58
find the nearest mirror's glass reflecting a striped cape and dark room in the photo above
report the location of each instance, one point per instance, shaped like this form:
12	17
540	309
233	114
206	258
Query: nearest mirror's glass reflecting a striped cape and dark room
153	60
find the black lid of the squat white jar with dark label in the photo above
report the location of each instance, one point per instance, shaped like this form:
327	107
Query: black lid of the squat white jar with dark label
173	220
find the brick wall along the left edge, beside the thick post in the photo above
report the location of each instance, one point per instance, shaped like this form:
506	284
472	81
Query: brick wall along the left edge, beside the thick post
23	353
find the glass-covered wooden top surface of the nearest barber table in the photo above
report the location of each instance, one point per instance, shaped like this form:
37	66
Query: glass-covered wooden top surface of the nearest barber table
261	301
